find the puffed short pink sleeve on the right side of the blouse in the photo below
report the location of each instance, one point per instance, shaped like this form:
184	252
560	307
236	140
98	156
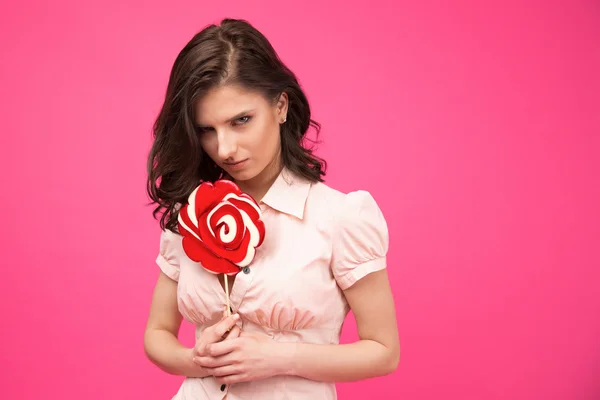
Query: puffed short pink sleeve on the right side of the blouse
360	241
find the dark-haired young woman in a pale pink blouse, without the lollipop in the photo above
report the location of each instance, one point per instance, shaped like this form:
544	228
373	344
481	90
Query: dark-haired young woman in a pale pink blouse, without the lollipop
234	110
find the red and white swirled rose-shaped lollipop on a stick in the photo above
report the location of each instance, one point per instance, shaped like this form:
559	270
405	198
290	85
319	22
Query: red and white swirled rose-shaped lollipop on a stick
221	228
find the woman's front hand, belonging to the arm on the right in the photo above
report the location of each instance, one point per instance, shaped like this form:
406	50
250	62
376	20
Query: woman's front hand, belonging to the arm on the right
246	358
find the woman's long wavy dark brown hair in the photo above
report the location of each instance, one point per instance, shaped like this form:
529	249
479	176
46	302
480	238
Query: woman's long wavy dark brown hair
233	52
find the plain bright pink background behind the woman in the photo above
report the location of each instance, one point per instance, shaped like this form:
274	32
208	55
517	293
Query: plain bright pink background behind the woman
475	125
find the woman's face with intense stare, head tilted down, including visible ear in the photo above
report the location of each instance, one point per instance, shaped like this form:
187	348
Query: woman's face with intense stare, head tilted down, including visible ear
239	130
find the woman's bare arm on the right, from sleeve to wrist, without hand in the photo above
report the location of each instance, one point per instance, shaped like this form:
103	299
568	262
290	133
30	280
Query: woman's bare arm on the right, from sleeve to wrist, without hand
376	353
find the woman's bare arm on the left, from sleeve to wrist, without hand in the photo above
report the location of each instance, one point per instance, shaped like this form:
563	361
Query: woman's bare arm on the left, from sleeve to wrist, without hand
160	338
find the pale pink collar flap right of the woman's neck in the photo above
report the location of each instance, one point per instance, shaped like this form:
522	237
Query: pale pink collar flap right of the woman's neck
288	194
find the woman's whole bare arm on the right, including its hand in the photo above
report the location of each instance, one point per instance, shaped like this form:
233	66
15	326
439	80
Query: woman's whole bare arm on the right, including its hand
376	353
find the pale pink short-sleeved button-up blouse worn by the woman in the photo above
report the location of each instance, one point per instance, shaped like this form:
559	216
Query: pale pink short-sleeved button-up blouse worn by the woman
318	242
